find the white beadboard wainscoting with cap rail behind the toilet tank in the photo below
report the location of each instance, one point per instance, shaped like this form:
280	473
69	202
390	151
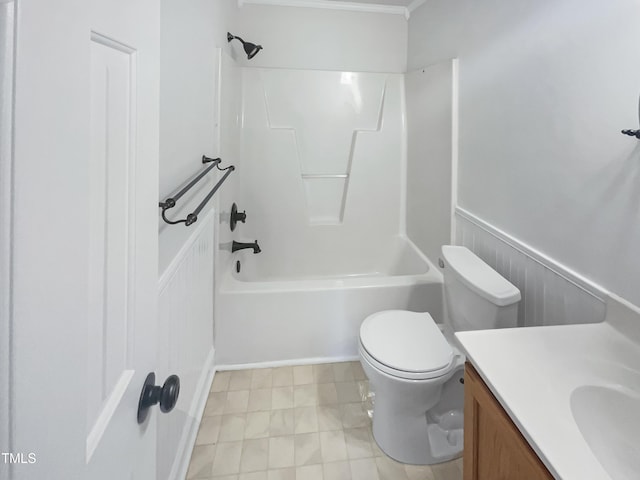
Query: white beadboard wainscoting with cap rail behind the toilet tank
551	293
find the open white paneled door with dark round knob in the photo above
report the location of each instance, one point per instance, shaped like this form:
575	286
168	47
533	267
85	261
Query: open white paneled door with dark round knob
84	263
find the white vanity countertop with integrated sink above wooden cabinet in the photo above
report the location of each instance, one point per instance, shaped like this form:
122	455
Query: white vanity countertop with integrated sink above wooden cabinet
580	408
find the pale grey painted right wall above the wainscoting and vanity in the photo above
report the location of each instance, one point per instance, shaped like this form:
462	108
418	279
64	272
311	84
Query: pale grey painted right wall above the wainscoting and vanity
545	88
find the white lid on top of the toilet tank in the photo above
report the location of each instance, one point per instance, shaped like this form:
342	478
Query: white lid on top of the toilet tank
480	277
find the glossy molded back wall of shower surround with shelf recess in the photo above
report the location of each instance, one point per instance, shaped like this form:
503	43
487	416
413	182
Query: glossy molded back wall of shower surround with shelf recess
322	175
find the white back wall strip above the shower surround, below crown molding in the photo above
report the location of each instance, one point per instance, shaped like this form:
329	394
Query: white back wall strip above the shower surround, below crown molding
309	38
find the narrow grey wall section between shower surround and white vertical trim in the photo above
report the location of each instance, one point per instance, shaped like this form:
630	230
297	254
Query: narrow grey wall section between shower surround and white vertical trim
430	155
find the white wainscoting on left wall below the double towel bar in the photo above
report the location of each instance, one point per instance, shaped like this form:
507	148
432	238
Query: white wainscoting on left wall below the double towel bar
186	344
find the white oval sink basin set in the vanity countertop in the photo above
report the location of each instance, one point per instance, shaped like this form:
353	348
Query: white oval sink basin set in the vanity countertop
609	419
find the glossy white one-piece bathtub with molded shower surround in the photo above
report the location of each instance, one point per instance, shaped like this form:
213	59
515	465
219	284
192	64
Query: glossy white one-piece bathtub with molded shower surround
323	184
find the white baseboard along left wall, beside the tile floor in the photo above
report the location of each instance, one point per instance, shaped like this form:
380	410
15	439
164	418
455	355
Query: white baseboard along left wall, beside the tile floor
188	440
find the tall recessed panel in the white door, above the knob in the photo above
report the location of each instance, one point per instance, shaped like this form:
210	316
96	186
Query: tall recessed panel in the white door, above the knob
110	321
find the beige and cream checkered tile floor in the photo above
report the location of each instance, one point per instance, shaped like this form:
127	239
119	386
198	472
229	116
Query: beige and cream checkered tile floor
296	423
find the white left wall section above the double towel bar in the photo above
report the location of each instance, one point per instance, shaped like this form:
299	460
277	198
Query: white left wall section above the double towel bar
191	32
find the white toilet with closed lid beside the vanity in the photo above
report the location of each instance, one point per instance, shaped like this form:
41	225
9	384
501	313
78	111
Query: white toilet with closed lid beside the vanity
415	368
